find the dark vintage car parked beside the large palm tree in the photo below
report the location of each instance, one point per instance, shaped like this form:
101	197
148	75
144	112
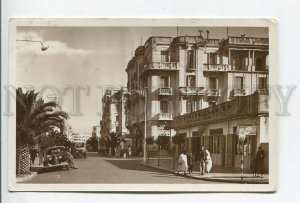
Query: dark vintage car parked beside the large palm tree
56	157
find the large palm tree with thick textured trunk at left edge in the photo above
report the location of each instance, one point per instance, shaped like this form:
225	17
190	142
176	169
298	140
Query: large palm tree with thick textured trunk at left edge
33	118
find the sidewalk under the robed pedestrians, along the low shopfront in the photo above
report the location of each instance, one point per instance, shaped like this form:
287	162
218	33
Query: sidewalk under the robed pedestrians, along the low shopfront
217	174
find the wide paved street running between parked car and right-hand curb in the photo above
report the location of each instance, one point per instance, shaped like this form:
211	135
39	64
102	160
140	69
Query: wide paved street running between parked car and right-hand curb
109	170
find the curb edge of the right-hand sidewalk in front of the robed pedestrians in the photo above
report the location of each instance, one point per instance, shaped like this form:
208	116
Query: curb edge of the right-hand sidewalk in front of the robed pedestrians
207	178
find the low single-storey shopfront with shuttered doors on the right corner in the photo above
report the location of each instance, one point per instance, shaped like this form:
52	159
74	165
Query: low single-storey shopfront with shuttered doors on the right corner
218	132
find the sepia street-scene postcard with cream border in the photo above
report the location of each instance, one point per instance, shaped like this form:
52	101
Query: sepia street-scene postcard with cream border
168	105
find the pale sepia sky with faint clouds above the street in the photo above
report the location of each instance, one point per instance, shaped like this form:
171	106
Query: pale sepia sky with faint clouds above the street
91	59
